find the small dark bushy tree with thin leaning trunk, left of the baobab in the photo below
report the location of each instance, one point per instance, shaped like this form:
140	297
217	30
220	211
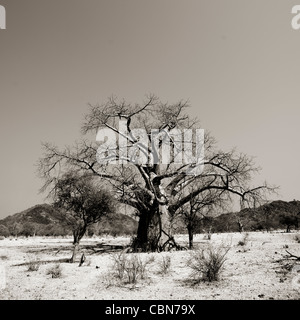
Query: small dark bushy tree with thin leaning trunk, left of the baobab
84	202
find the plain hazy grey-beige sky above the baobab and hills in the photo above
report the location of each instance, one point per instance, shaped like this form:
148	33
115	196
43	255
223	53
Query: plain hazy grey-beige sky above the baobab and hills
237	61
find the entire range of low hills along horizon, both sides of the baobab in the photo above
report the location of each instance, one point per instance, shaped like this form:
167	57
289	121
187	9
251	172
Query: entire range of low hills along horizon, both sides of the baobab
45	220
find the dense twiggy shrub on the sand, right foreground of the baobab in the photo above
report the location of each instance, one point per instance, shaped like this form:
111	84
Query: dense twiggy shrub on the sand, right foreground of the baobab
207	264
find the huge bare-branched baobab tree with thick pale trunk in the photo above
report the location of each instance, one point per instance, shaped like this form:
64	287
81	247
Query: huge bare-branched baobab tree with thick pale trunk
132	144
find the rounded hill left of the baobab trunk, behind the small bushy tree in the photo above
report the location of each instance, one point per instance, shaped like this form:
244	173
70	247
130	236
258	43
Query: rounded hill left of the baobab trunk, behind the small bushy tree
45	220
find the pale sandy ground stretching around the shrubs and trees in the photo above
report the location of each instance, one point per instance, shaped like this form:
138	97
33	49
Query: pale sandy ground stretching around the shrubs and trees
250	272
